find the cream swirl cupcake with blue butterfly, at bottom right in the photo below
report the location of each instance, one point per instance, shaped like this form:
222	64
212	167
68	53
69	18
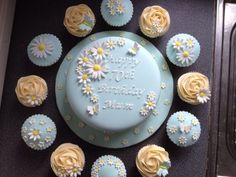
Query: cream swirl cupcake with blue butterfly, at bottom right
153	161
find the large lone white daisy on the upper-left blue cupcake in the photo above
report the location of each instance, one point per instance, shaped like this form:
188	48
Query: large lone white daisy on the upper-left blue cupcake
41	47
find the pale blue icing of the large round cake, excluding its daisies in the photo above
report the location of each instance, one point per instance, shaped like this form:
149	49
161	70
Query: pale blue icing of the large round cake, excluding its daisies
132	75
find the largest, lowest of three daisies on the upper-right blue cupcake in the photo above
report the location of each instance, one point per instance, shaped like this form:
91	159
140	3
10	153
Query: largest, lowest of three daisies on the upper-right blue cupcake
185	55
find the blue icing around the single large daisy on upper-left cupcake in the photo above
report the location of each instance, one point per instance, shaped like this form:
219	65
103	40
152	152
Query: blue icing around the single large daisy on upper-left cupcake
51	57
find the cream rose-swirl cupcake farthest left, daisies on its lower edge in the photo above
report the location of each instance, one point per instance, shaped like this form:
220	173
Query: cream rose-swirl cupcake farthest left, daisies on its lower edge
31	90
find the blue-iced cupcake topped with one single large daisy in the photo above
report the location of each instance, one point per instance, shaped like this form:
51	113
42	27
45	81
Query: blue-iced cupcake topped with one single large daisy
44	50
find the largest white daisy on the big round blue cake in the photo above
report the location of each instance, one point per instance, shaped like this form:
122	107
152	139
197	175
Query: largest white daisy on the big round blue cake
97	69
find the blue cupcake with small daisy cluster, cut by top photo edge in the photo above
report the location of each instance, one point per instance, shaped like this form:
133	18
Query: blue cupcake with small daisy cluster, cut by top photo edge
117	12
